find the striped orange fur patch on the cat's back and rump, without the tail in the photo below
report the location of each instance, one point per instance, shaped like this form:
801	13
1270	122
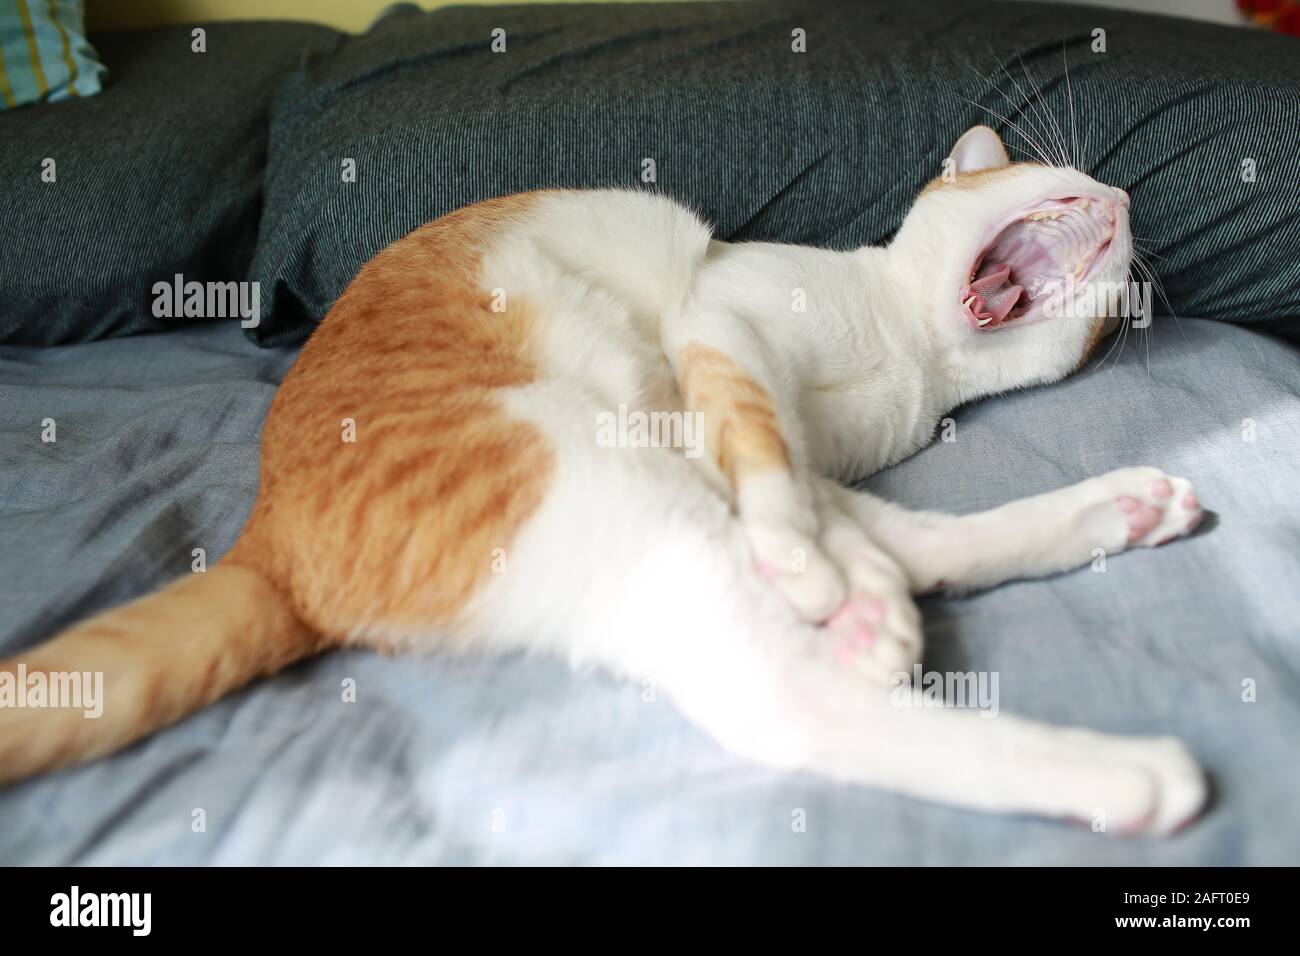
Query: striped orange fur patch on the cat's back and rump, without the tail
404	521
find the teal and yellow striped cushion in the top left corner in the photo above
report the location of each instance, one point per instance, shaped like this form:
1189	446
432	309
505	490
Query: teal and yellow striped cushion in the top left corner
45	54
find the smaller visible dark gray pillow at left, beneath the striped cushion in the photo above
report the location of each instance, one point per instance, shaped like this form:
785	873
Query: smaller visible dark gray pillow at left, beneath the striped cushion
158	175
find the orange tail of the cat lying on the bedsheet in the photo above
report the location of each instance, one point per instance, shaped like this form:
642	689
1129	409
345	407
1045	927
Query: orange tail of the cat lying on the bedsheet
138	668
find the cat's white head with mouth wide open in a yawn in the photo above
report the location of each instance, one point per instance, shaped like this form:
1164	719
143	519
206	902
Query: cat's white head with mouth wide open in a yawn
1021	267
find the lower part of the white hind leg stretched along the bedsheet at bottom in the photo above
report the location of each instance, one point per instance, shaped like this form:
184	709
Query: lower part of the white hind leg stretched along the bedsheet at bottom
1003	764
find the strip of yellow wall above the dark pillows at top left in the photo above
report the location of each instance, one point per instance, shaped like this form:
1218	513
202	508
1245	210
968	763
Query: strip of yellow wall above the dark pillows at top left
346	15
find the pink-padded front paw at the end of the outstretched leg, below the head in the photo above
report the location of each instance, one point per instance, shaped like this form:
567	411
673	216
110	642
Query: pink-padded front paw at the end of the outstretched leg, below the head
1146	508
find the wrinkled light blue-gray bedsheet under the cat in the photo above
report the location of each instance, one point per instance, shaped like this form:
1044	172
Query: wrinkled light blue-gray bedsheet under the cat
519	762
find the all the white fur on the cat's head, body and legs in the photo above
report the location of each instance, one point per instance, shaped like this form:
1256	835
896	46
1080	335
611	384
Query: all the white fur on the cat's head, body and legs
642	561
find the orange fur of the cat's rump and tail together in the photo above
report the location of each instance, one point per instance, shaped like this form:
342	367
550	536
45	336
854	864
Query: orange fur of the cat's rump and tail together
365	542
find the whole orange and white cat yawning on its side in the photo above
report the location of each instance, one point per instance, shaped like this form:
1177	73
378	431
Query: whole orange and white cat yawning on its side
432	481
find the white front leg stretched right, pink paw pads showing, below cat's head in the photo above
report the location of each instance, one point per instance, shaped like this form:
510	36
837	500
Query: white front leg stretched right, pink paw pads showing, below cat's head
1030	538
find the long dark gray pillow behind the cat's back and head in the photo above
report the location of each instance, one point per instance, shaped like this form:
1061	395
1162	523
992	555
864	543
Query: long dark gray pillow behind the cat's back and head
825	148
